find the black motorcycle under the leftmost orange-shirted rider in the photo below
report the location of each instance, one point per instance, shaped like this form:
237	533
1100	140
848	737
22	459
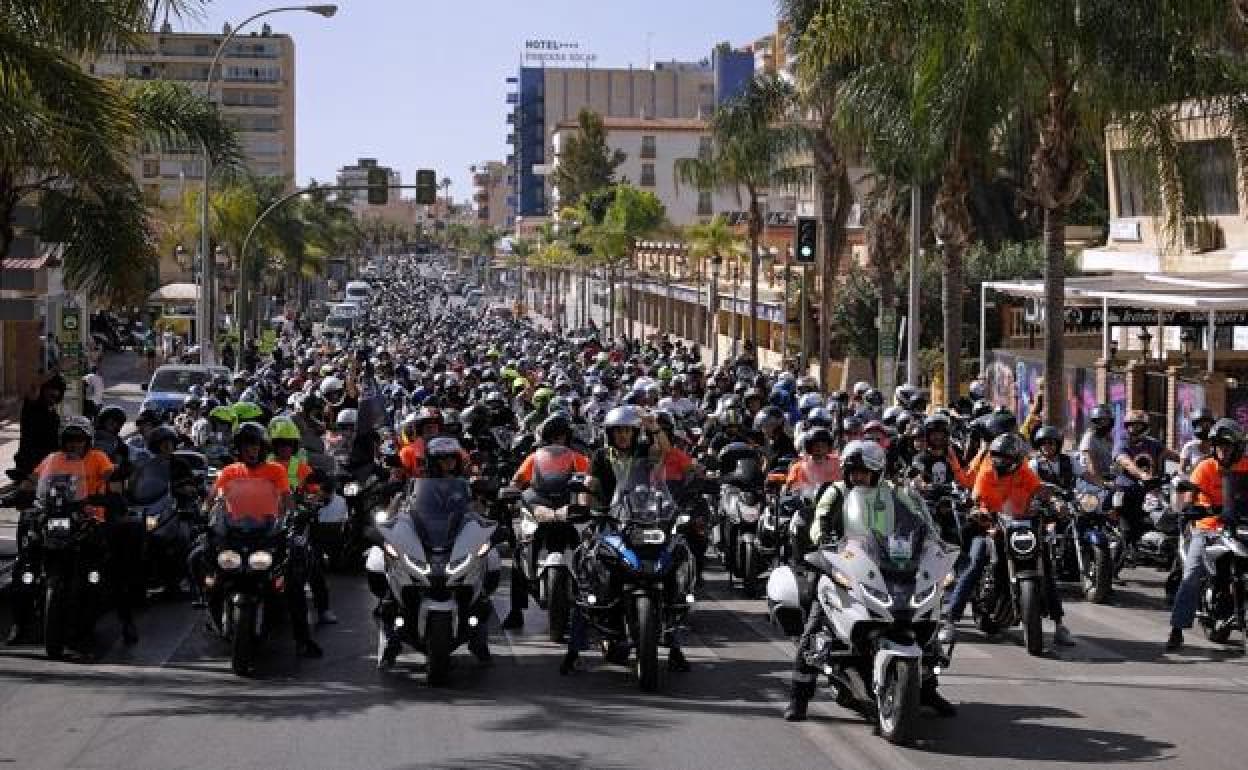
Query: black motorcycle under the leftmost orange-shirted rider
73	555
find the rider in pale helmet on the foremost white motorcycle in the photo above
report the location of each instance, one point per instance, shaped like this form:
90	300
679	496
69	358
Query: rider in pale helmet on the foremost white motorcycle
863	465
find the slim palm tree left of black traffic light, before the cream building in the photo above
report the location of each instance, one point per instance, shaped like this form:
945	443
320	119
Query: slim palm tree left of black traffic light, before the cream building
749	149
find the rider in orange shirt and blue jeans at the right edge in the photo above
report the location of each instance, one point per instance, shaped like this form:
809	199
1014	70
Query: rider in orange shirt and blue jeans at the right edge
1229	460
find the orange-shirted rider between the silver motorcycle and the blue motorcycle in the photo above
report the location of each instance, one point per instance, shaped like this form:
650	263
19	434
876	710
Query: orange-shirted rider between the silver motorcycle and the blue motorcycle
545	475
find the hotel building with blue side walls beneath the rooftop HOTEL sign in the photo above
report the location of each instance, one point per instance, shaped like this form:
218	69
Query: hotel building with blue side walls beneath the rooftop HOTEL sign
546	98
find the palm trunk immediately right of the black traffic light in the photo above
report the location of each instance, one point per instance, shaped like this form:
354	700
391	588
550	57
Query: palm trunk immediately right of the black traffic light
836	200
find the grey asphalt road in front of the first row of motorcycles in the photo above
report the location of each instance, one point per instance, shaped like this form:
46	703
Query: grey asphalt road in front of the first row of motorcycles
172	702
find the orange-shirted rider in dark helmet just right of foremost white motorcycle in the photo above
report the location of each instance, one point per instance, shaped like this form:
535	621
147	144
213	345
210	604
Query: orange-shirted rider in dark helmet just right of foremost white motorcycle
1005	486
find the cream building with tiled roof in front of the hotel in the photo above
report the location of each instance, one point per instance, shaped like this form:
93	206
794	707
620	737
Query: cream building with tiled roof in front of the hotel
651	148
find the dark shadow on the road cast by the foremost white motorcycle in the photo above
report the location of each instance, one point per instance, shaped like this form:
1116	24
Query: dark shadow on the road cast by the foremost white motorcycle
1020	733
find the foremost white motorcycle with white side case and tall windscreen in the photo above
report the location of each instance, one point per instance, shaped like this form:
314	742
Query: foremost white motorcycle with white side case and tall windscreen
880	606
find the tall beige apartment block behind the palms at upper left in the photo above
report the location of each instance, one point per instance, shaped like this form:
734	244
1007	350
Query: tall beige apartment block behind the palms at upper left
255	85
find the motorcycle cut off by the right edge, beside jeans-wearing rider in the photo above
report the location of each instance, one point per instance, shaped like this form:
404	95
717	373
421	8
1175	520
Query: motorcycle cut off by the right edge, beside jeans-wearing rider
1225	588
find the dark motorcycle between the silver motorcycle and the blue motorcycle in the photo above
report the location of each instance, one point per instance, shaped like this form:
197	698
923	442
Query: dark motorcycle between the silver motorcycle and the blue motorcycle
547	539
